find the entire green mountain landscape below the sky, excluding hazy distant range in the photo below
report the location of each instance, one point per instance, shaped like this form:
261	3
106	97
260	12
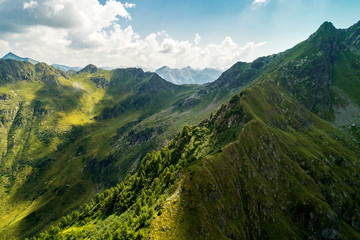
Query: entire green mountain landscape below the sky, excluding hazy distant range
269	150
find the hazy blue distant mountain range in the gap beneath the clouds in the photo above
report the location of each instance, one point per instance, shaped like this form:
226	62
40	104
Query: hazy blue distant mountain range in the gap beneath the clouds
188	75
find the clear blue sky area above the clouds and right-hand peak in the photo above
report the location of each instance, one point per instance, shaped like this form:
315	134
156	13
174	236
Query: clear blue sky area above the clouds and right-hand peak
282	23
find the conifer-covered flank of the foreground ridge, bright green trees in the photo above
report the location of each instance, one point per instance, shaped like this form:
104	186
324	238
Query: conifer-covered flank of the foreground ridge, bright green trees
137	198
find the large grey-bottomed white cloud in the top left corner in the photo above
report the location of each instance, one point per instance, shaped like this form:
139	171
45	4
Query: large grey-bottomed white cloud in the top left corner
84	14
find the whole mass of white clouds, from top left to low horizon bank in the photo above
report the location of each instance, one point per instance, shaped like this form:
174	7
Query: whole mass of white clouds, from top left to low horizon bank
83	31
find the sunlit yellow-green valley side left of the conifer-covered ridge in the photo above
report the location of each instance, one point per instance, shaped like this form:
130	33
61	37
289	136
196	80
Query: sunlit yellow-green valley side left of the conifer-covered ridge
68	136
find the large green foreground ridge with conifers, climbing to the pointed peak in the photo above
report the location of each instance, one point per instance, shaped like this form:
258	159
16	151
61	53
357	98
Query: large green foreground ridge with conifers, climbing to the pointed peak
287	174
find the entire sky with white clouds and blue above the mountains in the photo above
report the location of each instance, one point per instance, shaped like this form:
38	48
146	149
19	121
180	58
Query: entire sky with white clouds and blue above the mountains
154	33
